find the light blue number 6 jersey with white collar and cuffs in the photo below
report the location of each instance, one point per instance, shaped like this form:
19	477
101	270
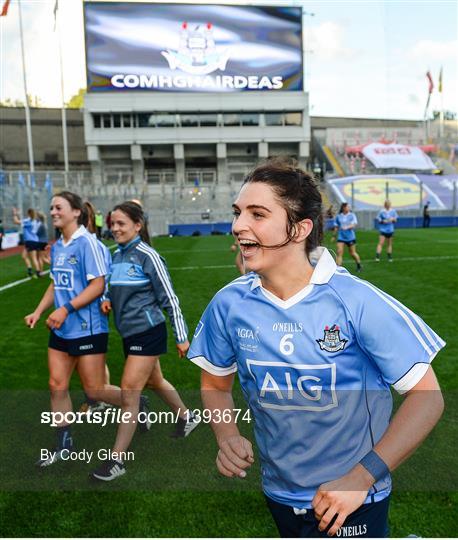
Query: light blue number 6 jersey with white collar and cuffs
316	371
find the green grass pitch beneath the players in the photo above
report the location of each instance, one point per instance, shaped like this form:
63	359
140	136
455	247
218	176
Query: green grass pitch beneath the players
172	489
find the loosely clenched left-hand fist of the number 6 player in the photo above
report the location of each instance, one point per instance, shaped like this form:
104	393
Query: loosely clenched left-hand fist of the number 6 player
234	456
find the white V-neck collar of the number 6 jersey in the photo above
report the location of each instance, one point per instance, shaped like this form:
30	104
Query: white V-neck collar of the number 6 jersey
324	269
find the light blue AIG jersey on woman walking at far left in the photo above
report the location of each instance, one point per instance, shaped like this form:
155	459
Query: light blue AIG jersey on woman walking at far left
73	265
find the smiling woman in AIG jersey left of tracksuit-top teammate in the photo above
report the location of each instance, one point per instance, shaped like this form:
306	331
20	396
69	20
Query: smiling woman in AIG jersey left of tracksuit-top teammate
78	328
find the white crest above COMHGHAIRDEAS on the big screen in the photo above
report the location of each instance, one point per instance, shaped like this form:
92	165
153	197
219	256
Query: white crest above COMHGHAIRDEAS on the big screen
197	52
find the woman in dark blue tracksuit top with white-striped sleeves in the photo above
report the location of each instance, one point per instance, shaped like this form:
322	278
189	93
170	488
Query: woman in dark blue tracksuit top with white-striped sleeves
140	288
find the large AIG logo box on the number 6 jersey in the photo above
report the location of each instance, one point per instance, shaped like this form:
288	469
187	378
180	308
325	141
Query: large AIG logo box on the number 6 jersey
294	386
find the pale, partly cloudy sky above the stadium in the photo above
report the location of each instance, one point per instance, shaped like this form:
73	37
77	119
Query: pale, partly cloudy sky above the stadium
363	58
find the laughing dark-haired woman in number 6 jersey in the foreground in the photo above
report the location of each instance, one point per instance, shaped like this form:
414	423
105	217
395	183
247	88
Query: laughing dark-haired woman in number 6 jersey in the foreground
316	350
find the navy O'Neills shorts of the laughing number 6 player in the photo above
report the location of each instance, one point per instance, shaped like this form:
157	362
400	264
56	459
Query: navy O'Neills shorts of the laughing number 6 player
368	521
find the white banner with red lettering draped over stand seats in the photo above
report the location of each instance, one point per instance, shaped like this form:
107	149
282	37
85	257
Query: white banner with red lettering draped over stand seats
397	156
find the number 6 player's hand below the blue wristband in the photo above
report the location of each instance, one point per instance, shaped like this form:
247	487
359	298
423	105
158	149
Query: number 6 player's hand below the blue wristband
340	498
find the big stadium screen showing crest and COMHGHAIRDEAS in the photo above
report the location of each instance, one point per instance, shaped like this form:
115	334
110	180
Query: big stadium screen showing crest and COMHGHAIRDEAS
192	48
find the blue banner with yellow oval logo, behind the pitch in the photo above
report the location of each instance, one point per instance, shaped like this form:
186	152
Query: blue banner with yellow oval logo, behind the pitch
404	190
